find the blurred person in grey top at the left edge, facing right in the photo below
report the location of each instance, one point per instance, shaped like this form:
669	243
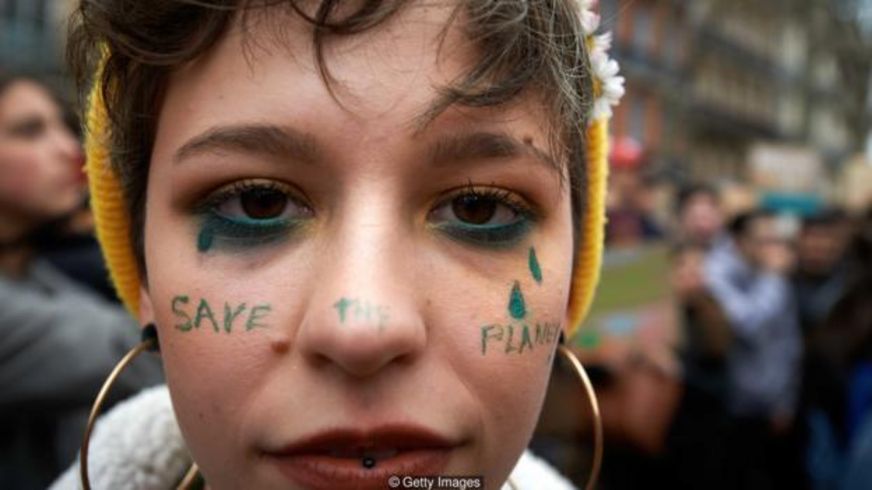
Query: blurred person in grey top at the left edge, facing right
57	340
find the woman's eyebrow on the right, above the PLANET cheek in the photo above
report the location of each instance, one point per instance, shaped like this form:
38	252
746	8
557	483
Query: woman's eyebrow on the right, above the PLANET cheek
483	145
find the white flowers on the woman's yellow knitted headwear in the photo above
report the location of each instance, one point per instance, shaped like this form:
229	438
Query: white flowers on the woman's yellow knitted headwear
608	86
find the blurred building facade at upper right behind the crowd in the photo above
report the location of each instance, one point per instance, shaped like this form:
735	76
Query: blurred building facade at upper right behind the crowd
707	80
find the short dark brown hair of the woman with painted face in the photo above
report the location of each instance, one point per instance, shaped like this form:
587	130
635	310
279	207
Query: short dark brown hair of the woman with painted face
525	47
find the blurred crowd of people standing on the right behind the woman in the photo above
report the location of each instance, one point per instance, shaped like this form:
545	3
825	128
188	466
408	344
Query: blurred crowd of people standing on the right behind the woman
771	386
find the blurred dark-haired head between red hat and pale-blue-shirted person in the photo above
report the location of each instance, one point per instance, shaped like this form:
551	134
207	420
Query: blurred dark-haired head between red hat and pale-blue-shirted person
700	215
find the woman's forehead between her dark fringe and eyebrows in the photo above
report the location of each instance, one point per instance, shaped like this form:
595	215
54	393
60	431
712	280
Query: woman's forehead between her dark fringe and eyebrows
382	81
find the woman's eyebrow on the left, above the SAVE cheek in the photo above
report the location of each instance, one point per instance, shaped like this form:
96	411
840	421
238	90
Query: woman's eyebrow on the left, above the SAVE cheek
266	139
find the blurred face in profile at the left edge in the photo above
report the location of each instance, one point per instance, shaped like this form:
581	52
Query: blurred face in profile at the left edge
40	173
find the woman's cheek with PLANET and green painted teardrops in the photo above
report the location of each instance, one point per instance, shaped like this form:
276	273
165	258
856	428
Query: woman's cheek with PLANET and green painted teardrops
503	335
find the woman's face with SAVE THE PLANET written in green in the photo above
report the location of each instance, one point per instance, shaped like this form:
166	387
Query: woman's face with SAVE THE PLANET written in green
332	282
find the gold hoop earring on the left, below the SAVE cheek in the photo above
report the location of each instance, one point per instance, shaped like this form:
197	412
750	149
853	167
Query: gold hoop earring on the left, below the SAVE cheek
149	343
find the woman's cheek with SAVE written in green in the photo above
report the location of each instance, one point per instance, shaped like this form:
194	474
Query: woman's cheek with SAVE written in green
216	324
